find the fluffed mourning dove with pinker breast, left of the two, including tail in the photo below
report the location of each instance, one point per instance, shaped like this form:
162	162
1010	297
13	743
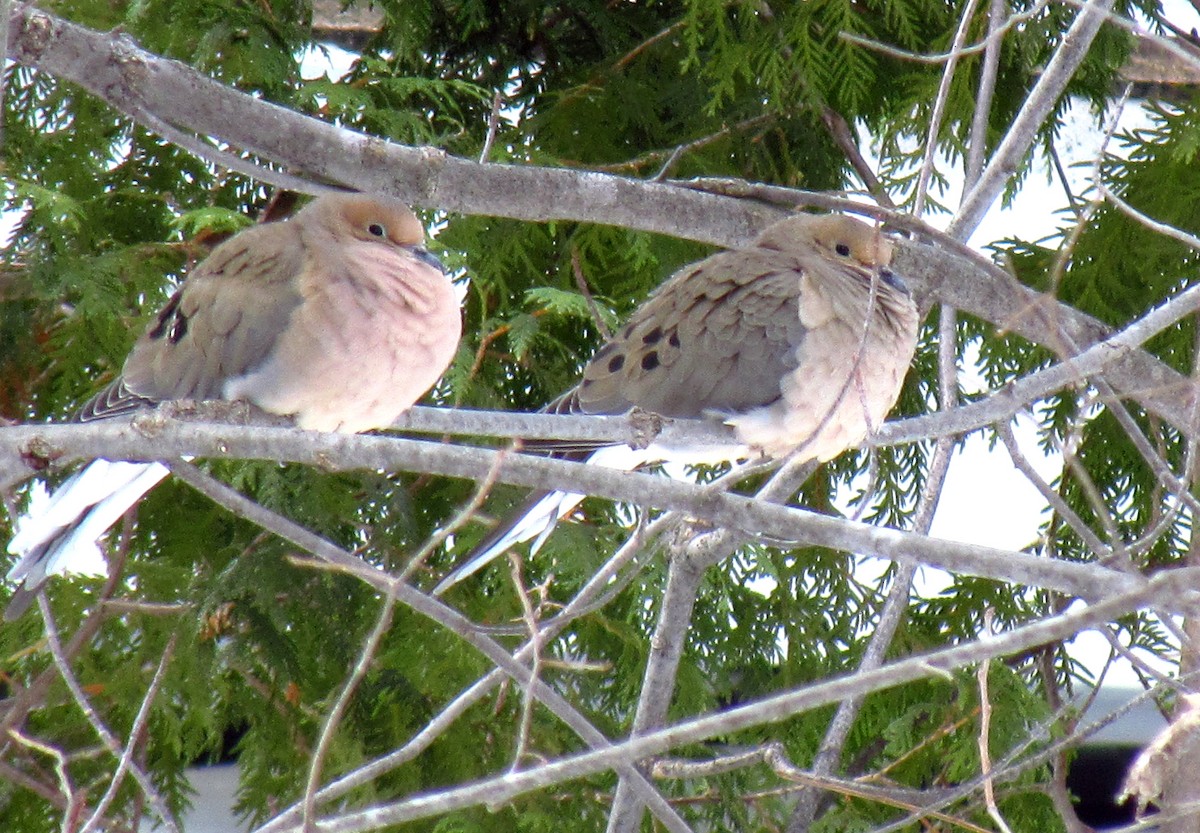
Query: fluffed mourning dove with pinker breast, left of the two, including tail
338	317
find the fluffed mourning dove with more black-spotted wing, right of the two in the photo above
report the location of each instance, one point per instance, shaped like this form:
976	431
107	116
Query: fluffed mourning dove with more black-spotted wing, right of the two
800	341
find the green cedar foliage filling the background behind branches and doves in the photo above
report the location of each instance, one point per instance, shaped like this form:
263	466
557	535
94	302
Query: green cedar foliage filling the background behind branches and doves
113	217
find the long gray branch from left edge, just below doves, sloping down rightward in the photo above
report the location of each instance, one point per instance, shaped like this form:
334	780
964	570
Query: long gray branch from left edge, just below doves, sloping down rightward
157	439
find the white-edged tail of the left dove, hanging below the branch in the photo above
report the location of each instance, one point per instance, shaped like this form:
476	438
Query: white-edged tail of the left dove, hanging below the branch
59	534
